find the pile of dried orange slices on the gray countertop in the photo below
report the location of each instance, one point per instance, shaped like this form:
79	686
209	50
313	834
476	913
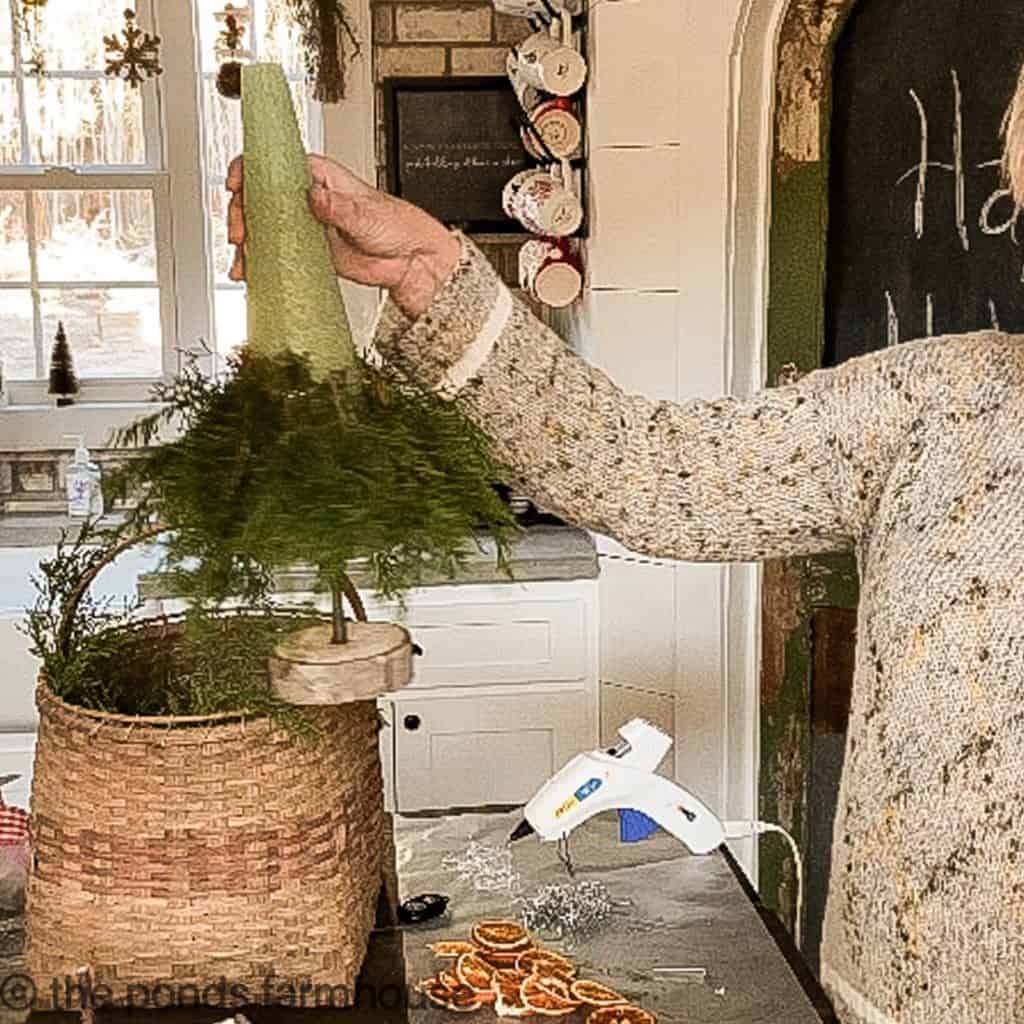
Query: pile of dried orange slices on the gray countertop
503	968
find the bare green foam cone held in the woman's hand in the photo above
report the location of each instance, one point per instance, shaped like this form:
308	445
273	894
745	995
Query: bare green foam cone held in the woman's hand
294	302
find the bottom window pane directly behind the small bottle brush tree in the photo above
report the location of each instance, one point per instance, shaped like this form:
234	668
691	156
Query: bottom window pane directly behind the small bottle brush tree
112	332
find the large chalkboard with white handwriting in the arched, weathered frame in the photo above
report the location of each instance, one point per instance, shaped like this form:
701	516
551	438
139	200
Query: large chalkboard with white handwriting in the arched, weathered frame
922	240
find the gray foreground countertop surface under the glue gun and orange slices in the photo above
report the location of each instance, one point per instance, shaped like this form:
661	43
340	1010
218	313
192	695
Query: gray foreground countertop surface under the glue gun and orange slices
676	910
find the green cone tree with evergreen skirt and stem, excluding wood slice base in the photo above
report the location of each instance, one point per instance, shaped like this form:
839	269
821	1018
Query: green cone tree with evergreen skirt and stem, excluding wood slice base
303	453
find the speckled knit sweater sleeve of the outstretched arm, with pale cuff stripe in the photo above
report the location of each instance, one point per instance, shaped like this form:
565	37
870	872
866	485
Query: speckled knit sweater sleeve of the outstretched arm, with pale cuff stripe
792	471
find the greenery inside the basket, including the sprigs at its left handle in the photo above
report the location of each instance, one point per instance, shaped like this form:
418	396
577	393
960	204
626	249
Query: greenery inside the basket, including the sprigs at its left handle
98	655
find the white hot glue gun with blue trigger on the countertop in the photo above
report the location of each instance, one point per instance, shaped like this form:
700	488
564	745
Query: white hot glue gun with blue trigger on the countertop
623	779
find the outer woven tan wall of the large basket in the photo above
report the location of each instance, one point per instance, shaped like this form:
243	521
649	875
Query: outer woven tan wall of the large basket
189	852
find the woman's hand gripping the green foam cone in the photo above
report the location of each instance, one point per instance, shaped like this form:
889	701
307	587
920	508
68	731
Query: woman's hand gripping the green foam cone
375	239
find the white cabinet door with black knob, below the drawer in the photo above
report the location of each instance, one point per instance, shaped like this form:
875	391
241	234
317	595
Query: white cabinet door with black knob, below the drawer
475	752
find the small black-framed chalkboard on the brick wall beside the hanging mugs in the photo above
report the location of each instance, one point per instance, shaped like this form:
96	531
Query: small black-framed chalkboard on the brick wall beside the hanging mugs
453	145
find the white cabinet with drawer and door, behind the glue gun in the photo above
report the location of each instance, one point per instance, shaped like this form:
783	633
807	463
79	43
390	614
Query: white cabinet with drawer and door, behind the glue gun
506	692
